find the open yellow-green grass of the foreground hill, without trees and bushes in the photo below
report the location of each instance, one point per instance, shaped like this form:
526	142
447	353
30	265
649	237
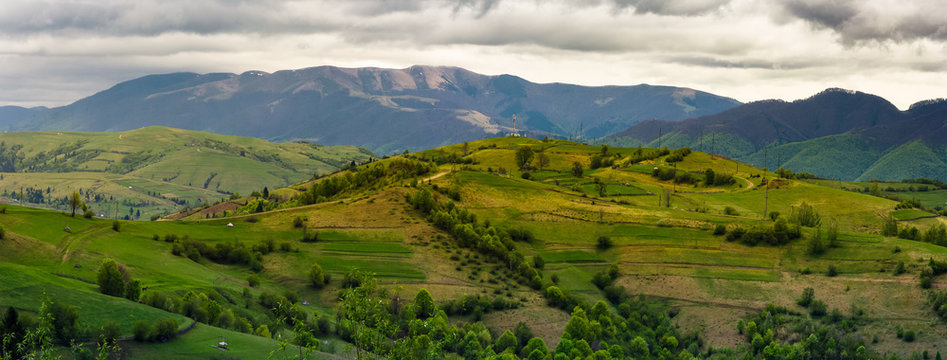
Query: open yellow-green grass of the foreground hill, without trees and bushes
660	238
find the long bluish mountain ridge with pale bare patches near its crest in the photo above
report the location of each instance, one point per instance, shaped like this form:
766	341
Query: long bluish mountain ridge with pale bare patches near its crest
385	110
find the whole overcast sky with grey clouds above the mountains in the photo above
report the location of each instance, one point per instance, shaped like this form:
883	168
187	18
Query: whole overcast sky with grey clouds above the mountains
53	52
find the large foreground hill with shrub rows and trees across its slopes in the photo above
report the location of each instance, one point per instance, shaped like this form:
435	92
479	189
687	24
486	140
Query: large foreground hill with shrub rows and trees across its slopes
495	248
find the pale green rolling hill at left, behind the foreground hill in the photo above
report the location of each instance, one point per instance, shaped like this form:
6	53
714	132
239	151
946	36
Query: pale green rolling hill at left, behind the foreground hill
154	170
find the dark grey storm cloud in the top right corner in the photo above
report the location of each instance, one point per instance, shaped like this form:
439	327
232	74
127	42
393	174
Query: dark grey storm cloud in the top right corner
859	21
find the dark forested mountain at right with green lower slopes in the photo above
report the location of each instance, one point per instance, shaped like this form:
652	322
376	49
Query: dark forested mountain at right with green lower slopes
837	134
